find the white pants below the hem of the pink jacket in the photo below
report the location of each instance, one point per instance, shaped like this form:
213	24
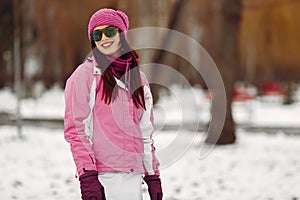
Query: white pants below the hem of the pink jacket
125	186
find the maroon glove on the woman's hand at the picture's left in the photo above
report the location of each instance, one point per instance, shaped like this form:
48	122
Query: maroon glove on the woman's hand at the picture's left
91	188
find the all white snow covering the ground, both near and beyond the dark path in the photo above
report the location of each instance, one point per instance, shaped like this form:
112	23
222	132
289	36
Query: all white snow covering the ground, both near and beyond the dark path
258	166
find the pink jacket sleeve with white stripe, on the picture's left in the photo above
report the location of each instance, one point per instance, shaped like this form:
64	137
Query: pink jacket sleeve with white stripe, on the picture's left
79	99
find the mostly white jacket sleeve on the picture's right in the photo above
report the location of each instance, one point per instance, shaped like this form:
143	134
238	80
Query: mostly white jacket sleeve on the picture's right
151	163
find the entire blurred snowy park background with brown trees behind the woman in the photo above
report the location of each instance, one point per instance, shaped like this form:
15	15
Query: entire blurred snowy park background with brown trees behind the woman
255	45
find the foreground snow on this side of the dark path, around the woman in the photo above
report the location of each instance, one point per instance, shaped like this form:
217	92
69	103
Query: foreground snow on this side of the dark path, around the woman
258	166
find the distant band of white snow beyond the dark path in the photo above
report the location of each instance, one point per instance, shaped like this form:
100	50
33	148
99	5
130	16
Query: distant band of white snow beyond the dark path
178	105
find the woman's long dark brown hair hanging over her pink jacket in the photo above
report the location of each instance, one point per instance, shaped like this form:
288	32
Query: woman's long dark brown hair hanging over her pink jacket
108	80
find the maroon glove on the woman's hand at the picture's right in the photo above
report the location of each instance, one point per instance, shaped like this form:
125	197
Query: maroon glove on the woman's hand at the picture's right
154	187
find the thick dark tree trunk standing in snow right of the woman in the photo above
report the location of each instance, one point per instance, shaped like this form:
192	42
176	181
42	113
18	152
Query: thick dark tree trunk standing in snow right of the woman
227	60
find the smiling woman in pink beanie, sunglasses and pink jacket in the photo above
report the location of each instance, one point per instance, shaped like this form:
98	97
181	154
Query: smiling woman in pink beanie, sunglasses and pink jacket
109	118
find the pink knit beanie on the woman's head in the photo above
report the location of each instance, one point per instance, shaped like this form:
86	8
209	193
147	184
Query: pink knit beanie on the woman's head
107	16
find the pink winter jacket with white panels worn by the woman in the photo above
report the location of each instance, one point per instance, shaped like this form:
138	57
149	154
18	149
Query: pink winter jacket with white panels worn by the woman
108	138
